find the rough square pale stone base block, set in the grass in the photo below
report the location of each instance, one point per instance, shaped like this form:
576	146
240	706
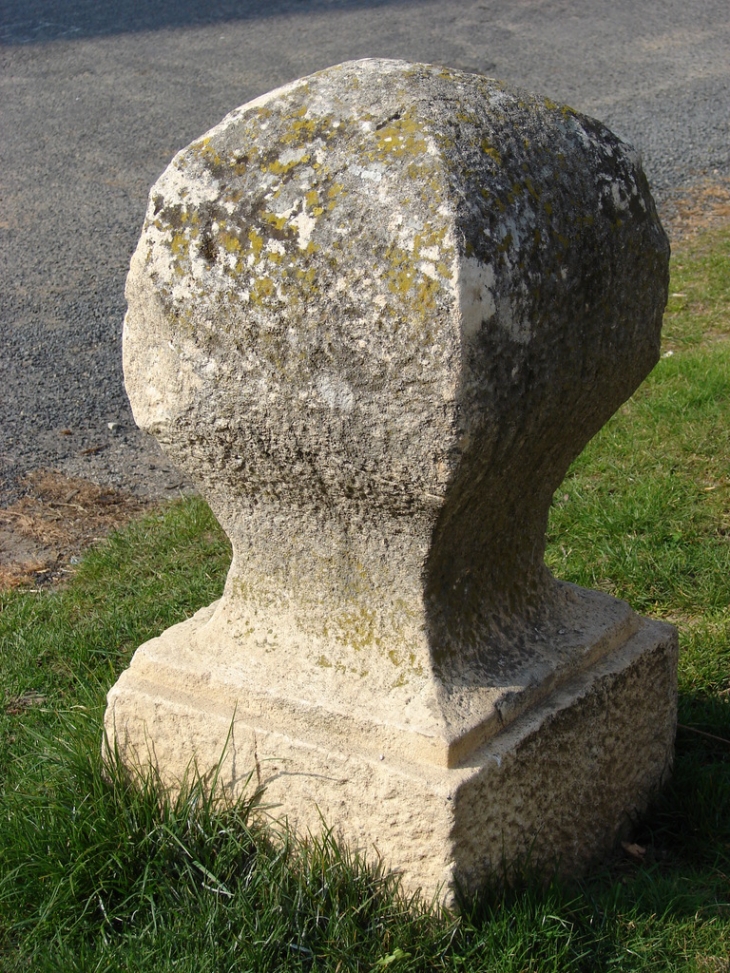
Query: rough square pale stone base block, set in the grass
560	784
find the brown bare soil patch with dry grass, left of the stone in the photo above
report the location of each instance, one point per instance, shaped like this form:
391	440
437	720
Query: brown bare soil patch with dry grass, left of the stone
57	518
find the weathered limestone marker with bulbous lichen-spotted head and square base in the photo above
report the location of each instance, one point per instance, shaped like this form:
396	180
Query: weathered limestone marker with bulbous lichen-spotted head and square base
374	315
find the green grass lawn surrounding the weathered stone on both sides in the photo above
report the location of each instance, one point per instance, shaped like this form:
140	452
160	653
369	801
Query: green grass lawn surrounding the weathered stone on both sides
99	872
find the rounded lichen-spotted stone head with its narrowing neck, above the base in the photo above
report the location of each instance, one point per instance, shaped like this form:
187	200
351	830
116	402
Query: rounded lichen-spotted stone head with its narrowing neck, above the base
375	314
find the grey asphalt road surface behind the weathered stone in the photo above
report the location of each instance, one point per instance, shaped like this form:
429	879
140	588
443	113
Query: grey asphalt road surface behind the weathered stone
96	97
